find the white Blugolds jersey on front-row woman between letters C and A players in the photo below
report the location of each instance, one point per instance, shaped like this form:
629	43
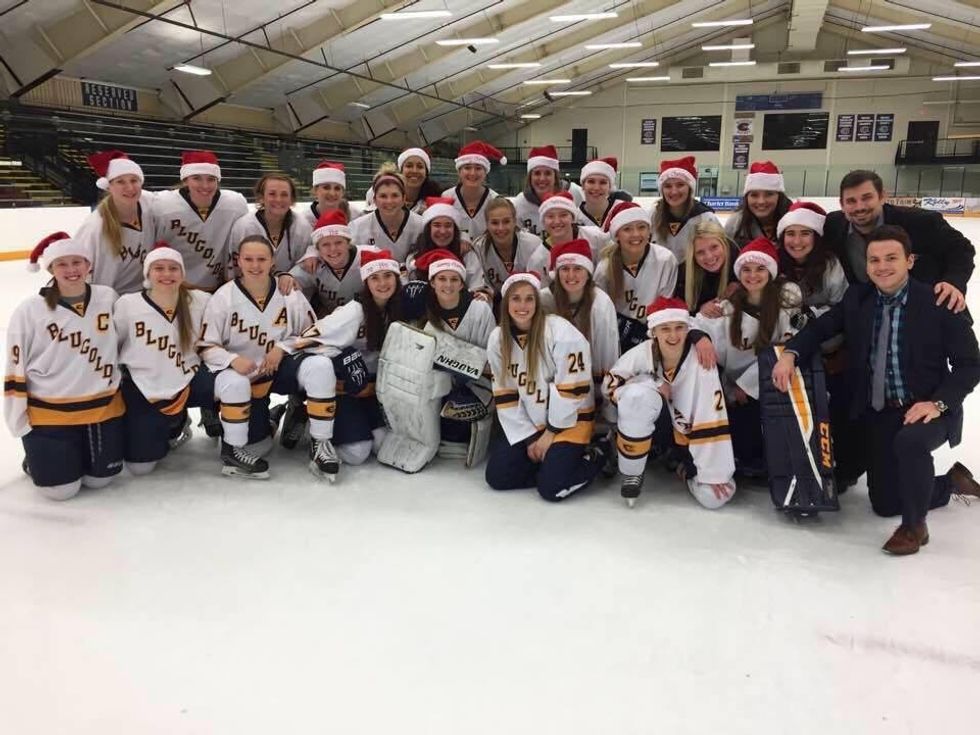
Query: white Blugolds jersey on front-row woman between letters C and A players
149	347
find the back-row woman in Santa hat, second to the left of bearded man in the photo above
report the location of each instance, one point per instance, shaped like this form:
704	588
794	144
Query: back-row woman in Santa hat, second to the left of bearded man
678	212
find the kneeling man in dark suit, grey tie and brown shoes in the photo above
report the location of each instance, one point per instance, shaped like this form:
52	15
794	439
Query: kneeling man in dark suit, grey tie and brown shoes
912	363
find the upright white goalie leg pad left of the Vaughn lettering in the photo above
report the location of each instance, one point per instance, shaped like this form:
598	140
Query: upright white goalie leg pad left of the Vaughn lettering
411	393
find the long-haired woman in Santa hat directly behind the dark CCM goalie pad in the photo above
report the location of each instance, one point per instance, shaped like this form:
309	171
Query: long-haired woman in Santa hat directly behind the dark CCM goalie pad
760	313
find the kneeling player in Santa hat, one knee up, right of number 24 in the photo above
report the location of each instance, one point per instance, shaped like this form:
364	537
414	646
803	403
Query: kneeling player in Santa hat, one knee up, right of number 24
664	373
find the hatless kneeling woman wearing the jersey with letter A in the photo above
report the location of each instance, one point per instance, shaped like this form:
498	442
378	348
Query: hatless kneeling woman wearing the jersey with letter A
245	323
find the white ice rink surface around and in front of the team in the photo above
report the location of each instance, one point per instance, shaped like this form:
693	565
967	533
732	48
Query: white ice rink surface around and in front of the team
187	602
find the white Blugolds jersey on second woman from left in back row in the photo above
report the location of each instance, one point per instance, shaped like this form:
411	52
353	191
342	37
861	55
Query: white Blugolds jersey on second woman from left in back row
201	240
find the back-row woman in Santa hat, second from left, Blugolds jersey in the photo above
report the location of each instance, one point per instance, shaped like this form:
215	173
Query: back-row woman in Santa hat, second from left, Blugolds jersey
197	218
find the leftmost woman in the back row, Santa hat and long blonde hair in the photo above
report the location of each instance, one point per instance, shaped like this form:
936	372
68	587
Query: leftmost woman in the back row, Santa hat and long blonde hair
119	232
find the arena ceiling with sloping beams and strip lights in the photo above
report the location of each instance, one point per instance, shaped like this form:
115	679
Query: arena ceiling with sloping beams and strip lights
337	62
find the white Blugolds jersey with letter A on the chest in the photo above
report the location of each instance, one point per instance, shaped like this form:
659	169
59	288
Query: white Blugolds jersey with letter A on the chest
235	325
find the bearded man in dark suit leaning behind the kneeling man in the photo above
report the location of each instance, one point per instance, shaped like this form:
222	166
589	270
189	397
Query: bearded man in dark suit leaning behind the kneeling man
943	255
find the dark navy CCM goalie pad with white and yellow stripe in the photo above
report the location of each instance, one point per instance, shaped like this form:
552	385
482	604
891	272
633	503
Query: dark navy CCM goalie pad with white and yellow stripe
796	427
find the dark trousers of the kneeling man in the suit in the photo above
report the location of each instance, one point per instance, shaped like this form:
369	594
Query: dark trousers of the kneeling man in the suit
901	480
